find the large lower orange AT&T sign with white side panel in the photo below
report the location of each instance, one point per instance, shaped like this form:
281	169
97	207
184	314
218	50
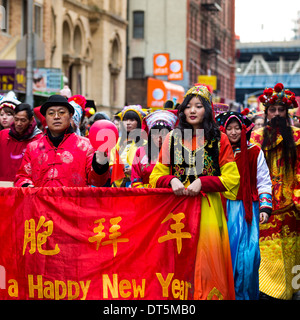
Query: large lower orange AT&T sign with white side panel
159	91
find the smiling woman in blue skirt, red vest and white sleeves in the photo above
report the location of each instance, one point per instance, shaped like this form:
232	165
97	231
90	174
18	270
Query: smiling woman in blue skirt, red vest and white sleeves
253	204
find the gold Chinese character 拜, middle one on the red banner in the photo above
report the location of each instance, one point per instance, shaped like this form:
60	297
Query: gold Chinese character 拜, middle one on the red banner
114	234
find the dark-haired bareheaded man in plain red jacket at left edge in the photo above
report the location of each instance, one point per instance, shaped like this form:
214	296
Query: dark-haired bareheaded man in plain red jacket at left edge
13	141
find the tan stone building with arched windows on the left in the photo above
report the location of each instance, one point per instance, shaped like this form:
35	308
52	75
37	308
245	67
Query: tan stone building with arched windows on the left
86	39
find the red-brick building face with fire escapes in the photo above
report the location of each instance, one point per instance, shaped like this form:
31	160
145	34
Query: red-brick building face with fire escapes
211	43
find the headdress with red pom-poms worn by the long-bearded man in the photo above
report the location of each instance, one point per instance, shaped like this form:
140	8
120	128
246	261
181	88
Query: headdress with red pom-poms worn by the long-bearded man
278	95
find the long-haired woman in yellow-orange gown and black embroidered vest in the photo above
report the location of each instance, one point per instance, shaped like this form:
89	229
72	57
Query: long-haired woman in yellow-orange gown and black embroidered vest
196	159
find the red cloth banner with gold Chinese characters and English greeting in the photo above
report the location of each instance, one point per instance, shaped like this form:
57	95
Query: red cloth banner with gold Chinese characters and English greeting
97	243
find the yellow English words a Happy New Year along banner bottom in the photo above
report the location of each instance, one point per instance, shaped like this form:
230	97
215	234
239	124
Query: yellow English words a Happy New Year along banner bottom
113	288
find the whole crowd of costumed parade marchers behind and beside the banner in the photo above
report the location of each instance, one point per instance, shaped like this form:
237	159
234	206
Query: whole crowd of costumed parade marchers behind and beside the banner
246	171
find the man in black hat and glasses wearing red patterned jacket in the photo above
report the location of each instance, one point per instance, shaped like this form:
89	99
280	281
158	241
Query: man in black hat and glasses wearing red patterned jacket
60	157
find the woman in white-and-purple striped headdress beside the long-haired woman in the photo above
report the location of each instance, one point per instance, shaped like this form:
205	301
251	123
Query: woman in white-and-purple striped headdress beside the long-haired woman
158	124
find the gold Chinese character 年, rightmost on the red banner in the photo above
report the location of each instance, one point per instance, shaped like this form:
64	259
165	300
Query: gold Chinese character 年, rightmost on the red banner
177	227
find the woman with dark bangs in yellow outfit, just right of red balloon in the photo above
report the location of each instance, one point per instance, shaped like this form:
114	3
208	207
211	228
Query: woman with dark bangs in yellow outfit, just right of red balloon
121	156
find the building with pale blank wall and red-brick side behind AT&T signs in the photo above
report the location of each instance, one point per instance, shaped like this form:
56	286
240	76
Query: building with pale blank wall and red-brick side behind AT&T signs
199	32
